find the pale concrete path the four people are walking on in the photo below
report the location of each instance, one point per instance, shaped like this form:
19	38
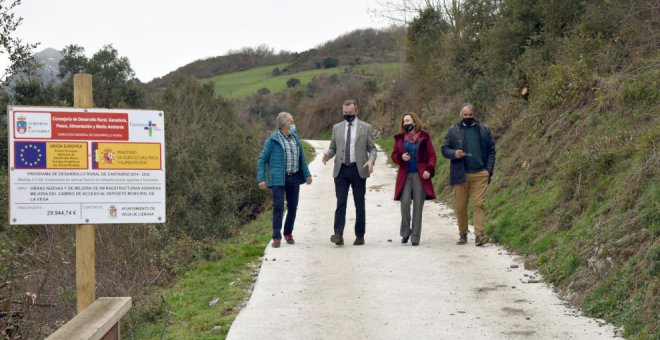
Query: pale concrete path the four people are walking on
386	290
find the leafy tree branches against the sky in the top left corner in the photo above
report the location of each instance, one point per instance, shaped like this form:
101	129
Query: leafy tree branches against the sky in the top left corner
18	53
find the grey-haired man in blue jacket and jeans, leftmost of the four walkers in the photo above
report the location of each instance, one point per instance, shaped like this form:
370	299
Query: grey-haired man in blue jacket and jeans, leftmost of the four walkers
282	168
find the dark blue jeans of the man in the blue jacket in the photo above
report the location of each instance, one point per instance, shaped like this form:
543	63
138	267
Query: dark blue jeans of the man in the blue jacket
291	189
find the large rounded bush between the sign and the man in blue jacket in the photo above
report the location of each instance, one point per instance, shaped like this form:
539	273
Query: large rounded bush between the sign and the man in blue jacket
211	163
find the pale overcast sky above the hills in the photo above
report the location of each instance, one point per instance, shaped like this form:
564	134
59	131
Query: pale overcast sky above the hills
159	36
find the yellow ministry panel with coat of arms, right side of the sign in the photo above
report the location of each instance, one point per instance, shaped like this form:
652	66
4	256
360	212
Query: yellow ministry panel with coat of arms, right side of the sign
127	156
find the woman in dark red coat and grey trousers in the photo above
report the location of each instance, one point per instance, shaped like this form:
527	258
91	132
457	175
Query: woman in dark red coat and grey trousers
414	153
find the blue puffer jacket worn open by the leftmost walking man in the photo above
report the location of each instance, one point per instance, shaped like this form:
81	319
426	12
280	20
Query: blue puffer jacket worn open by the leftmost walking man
271	166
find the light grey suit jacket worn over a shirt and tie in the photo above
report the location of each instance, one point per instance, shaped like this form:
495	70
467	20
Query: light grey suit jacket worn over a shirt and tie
365	147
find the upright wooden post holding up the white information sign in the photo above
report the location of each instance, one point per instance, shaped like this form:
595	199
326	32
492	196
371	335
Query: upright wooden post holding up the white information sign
85	234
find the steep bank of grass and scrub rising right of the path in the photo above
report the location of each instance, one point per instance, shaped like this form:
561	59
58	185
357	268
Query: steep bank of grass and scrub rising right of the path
577	181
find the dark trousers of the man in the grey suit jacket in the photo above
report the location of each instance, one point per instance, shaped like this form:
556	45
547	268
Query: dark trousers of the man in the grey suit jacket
350	178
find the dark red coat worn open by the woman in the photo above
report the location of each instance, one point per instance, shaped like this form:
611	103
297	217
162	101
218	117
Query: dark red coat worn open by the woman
426	159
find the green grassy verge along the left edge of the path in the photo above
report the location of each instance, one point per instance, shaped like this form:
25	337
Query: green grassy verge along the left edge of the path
226	273
